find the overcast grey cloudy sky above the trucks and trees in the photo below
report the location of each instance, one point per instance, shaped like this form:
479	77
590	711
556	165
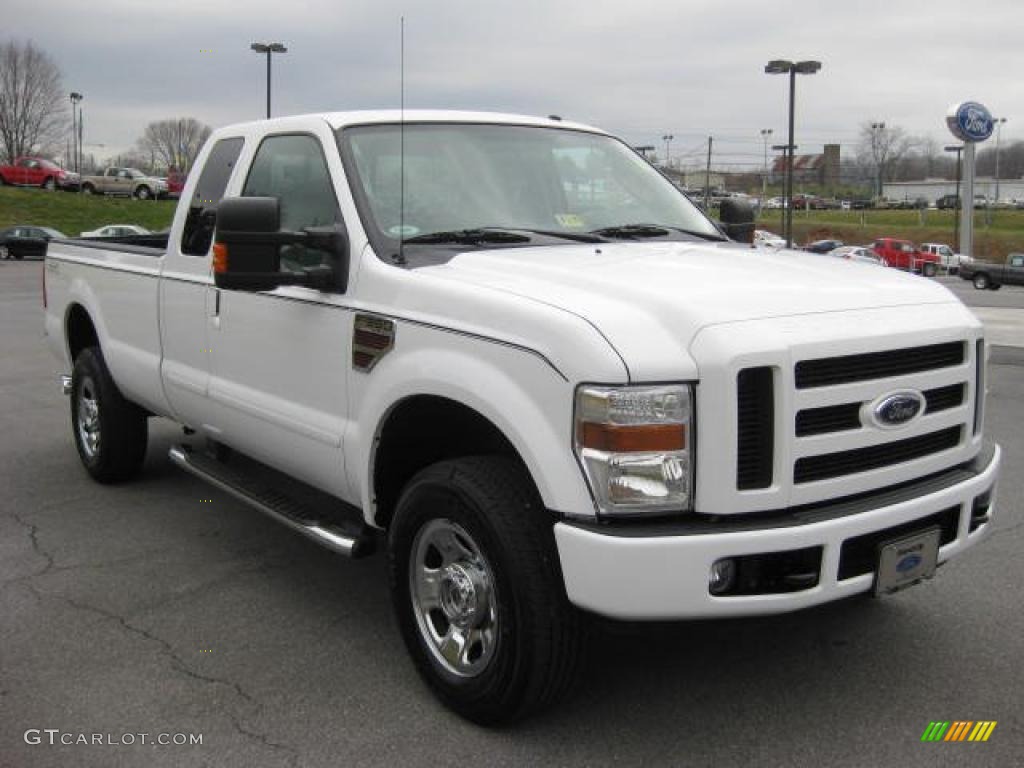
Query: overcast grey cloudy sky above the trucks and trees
638	68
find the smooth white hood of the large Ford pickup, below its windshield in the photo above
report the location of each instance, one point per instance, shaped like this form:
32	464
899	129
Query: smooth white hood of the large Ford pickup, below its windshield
652	300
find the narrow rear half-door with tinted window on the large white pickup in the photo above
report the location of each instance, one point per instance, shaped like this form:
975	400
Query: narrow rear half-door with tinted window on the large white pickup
187	294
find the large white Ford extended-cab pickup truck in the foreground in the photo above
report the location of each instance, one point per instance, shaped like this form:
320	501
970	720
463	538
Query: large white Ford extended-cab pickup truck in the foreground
510	352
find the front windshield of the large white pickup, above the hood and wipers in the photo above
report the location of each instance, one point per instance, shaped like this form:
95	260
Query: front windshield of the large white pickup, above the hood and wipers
472	178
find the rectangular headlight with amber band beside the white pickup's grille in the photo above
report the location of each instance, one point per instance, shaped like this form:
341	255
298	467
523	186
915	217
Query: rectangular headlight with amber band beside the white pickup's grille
635	446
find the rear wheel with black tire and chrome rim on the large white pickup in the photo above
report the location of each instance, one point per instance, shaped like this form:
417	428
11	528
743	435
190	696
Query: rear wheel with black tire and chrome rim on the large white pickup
121	428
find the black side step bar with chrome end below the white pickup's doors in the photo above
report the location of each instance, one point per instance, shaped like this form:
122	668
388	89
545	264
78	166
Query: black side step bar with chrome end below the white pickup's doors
297	517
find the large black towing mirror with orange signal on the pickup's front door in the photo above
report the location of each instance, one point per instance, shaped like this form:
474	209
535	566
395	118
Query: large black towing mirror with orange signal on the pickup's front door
247	249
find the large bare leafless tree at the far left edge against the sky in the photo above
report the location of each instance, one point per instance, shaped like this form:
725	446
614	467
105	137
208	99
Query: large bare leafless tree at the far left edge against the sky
32	115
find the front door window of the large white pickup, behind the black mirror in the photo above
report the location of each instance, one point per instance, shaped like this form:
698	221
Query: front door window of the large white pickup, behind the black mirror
293	169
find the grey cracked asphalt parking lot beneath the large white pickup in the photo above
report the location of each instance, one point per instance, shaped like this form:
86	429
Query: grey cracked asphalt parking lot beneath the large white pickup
164	607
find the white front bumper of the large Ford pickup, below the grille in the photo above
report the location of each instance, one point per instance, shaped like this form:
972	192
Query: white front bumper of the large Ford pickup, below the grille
661	571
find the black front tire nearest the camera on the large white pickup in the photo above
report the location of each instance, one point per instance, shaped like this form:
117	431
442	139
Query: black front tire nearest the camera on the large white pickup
537	641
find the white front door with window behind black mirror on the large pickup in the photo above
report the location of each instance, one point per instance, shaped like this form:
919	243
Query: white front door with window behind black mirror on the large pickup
280	360
